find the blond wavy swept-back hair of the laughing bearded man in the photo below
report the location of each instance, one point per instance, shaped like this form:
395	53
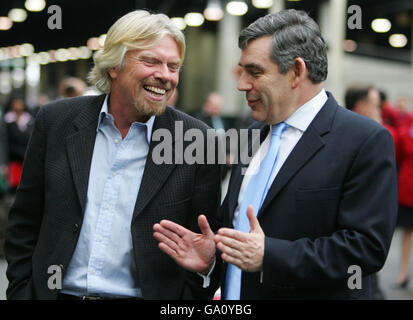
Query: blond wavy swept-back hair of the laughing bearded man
136	30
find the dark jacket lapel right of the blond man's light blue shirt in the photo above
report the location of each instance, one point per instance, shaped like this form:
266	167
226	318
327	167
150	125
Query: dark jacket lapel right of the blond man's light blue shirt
155	175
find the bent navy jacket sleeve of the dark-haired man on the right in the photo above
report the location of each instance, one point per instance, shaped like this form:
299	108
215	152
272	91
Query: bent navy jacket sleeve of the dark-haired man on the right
366	218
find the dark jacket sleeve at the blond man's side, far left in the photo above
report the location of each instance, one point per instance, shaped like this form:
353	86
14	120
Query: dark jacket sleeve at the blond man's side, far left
25	216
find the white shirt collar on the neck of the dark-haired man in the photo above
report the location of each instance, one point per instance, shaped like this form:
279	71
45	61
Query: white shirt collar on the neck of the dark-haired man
304	115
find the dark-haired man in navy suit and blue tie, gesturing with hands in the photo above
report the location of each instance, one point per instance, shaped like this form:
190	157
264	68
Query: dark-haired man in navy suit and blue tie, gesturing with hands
314	215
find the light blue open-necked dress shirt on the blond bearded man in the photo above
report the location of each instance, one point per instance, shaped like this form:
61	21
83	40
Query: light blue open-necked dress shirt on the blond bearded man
103	262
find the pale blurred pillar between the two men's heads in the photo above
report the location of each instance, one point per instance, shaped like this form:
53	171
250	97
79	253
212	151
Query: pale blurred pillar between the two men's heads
228	58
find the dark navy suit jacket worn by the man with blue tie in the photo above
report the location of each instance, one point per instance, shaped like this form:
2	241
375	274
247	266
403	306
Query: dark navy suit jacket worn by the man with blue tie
332	205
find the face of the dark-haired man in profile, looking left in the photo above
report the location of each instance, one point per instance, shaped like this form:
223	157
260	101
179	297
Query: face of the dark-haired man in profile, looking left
268	92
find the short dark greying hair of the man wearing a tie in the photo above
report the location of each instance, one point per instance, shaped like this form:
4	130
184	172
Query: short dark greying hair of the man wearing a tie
294	34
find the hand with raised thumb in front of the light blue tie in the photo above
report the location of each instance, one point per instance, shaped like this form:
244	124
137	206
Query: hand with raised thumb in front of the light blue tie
244	250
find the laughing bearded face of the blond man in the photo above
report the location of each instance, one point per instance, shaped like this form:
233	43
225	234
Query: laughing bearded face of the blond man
148	78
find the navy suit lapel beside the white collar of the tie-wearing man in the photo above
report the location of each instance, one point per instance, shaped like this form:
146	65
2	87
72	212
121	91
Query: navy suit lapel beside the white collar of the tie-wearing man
310	143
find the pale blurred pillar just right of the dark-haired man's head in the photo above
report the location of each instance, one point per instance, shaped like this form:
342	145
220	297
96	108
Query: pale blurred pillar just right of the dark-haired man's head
333	25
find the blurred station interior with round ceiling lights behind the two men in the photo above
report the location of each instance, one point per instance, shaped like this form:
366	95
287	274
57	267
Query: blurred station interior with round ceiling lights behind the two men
361	50
